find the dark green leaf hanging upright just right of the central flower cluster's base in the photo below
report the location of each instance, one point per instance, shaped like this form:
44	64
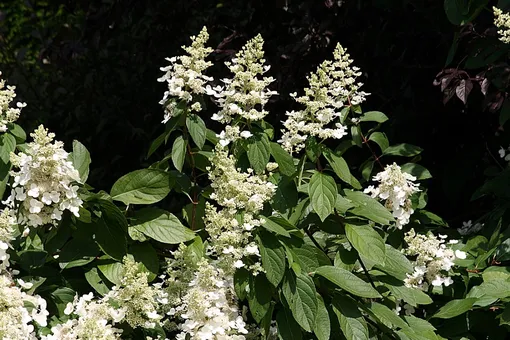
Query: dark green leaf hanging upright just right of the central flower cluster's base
273	257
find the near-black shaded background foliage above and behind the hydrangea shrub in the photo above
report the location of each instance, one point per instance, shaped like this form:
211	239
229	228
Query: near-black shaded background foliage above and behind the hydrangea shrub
88	71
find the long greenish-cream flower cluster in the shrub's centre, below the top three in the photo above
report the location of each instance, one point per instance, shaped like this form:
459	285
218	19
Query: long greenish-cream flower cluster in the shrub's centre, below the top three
235	191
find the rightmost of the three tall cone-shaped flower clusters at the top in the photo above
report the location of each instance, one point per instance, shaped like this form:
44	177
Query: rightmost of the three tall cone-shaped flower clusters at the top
332	87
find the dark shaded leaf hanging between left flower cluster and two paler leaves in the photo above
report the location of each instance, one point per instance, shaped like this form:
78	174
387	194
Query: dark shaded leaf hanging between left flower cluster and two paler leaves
111	231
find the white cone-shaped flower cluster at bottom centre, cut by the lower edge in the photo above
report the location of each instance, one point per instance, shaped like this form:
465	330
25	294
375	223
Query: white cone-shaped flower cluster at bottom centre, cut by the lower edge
209	307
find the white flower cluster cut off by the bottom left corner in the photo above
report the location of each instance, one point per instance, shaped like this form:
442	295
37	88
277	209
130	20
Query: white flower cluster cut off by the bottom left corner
19	311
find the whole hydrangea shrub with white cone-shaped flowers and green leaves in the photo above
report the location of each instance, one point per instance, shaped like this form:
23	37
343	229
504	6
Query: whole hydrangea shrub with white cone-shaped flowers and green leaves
286	234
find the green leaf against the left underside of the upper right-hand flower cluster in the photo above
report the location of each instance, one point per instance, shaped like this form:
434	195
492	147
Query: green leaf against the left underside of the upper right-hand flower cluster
369	207
